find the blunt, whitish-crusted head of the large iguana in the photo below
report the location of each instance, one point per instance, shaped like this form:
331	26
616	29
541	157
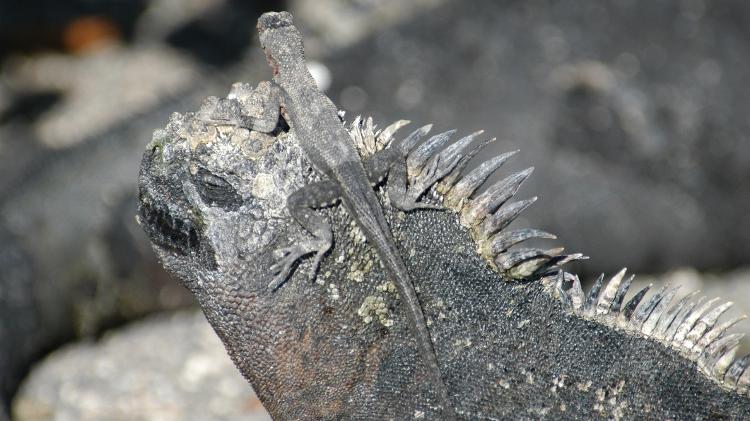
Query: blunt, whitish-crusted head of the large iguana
198	179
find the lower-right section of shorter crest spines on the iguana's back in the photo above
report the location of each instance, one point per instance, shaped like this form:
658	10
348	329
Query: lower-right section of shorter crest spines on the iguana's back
690	327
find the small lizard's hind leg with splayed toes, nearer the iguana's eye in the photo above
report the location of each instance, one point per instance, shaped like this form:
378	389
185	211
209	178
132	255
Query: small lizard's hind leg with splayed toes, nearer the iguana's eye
303	205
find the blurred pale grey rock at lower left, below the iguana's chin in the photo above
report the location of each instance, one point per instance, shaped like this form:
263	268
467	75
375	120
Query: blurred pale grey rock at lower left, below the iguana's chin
168	367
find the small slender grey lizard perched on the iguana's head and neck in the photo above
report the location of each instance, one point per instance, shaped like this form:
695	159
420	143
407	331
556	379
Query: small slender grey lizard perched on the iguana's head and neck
326	143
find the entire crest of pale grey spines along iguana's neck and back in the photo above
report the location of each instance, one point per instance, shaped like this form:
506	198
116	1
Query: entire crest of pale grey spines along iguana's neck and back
690	327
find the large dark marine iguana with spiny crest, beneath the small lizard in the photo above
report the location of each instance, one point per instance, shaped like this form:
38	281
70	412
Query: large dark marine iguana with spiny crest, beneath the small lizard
514	334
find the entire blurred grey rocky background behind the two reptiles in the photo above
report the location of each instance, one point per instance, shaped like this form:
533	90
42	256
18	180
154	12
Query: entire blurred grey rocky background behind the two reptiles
633	112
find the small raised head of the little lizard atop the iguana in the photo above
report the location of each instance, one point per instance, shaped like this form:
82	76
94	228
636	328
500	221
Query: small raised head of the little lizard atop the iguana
280	40
